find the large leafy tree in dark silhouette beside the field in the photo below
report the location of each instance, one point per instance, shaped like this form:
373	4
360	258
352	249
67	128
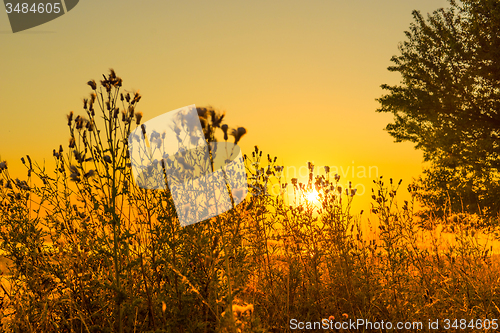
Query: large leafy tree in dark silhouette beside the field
448	104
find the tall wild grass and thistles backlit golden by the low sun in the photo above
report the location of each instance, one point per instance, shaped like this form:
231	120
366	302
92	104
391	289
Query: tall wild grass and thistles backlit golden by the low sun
87	250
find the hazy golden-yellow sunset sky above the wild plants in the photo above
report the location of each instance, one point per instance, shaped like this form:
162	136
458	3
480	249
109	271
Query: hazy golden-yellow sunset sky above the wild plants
301	76
